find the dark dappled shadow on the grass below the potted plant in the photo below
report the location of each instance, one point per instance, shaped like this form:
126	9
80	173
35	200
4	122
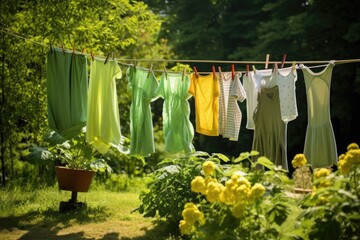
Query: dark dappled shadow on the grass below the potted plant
48	223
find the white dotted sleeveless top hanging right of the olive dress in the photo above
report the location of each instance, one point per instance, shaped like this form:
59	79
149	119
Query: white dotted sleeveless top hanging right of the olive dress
285	79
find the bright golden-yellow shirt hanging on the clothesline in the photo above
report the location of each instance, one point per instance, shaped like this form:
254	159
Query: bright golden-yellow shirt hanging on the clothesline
205	90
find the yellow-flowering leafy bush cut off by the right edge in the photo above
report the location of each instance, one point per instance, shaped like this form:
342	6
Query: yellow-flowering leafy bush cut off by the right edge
334	205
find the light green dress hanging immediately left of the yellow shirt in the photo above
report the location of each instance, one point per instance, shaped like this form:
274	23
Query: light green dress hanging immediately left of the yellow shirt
178	130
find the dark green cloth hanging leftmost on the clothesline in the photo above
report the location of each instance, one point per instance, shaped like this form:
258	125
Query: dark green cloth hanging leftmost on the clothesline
66	91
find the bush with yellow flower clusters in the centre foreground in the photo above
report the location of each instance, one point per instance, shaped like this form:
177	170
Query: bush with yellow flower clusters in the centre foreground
238	206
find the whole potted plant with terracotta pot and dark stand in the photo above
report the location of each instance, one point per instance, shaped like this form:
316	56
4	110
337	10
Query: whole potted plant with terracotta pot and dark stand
75	163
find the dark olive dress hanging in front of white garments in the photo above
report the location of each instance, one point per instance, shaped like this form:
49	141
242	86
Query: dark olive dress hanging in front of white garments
270	130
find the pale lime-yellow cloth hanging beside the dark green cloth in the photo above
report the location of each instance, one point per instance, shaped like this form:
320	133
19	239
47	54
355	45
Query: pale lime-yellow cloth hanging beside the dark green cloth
103	126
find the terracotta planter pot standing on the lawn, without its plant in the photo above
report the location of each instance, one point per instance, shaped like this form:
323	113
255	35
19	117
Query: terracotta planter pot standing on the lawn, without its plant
74	180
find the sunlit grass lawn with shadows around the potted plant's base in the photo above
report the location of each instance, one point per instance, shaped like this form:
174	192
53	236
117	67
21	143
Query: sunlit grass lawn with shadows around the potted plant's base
33	214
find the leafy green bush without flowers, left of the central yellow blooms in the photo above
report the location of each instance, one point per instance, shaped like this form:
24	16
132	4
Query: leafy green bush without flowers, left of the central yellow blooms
168	186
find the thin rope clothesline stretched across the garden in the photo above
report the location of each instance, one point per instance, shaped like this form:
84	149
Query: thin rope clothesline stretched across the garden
133	60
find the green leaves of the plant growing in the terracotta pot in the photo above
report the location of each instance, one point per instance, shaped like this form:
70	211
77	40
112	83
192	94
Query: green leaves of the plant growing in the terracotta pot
75	153
